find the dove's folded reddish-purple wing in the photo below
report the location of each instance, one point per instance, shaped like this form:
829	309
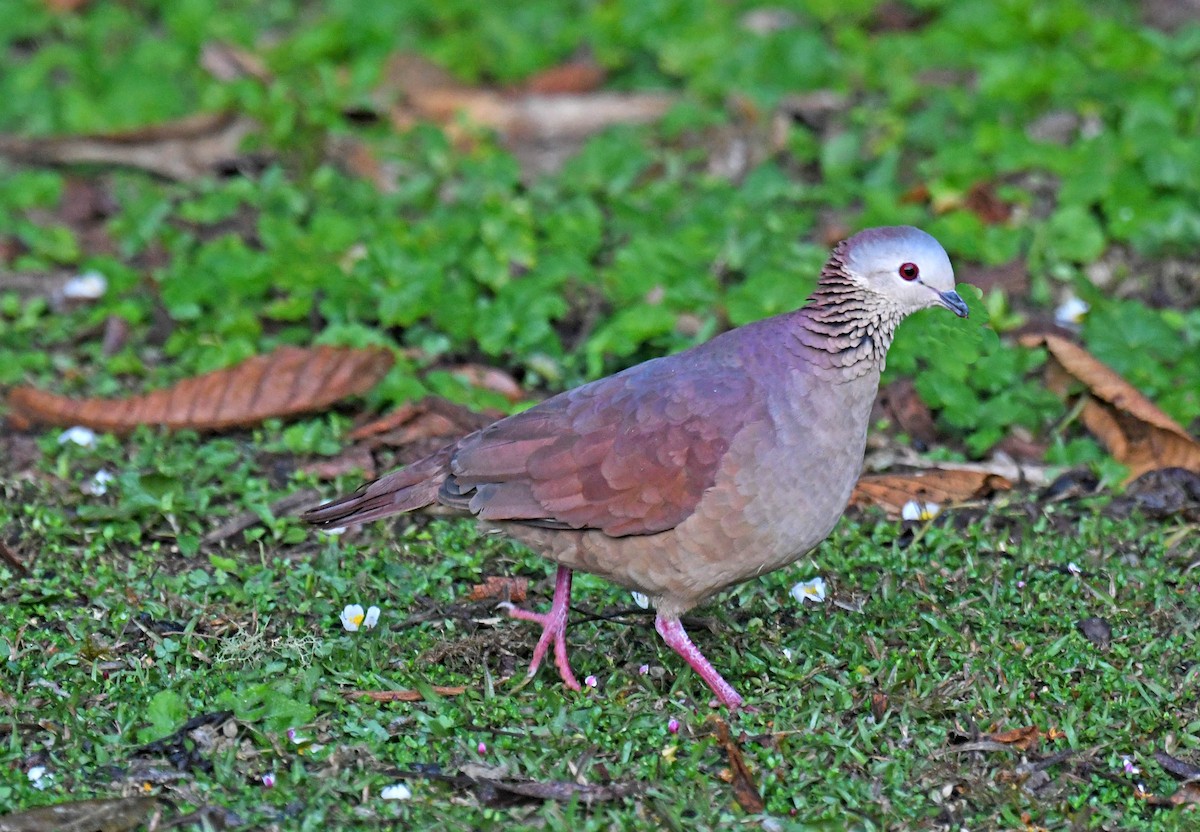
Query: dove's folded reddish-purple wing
631	454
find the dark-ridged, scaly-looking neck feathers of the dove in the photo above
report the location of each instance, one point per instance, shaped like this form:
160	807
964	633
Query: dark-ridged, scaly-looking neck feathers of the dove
844	331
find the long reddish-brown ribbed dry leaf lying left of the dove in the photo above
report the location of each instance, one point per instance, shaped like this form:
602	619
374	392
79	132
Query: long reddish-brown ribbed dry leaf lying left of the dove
286	382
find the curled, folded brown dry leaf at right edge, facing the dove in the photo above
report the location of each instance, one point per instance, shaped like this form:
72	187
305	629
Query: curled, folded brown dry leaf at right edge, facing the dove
1131	427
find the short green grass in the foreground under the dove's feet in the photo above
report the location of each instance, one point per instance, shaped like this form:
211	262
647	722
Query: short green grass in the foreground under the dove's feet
964	630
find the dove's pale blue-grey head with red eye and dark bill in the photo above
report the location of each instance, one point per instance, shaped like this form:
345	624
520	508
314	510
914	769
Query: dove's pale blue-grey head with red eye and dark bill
904	266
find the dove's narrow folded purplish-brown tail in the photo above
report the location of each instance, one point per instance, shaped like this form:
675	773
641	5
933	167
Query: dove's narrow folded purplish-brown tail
406	490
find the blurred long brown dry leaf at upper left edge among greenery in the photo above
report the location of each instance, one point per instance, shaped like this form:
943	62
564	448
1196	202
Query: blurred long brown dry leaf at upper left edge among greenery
185	149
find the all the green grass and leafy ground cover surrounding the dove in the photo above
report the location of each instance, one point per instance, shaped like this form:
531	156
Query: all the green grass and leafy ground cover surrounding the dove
128	626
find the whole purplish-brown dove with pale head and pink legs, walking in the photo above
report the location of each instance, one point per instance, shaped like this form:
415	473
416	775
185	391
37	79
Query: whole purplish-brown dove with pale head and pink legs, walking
687	475
